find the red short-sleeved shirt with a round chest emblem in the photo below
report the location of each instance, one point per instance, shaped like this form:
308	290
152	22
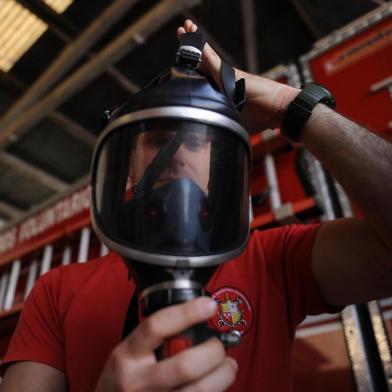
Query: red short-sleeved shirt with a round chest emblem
74	316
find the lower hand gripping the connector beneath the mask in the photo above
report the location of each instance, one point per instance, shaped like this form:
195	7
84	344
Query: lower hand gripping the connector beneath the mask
132	365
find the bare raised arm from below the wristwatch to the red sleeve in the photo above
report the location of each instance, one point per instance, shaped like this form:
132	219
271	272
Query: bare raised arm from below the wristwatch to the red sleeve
352	258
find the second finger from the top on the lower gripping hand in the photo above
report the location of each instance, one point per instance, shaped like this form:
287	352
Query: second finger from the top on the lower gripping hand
181	369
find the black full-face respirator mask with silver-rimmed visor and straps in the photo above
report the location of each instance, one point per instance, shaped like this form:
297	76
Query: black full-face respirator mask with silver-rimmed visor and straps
170	182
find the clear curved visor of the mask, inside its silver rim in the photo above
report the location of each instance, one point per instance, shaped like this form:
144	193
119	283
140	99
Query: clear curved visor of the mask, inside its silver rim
172	187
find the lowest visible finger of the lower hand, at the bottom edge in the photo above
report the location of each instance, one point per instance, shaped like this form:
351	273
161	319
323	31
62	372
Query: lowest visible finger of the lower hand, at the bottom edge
218	380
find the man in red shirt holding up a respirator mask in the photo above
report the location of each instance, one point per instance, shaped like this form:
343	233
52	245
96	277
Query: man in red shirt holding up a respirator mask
284	274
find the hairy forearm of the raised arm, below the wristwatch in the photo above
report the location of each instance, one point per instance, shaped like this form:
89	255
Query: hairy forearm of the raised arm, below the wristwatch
360	160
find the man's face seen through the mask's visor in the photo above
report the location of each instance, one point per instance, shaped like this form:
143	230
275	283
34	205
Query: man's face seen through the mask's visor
191	160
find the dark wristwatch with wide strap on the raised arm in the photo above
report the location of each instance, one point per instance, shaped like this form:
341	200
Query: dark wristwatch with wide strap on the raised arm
301	107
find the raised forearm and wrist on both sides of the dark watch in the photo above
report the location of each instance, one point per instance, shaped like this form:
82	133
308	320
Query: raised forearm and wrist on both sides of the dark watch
360	160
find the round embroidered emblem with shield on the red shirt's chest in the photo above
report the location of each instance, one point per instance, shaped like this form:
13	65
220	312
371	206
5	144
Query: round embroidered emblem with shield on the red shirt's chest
234	310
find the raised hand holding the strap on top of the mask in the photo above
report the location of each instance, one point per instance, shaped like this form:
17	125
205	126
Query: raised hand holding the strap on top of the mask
266	100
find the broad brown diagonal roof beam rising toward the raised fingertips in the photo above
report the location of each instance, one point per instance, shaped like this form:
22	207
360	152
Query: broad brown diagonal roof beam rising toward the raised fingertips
154	19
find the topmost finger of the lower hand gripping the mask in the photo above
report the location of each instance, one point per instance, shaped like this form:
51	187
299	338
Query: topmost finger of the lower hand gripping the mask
168	322
